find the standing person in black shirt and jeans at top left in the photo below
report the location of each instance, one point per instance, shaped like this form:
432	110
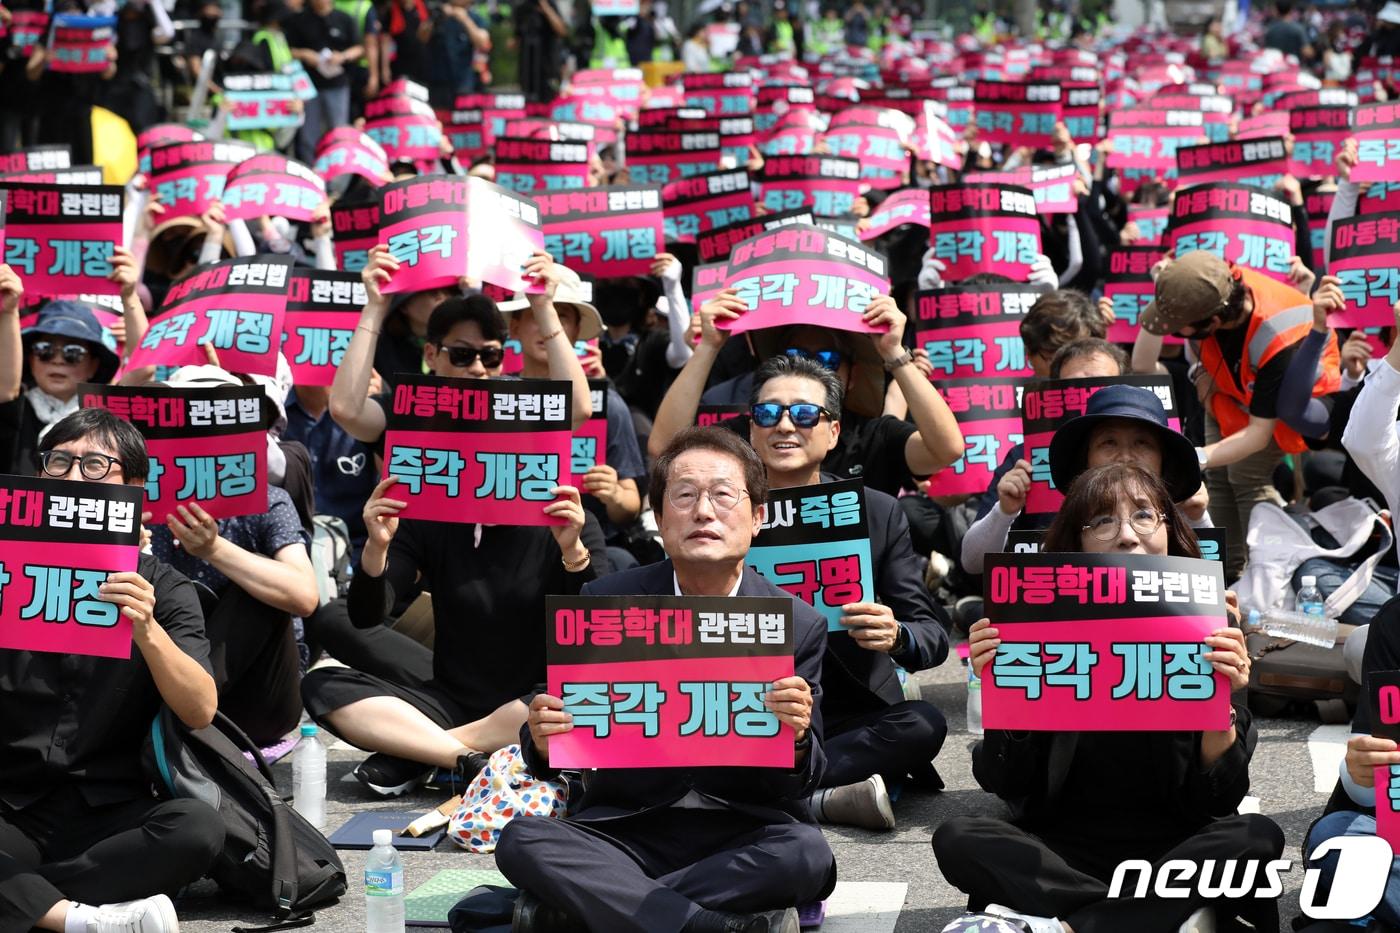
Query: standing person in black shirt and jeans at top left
325	41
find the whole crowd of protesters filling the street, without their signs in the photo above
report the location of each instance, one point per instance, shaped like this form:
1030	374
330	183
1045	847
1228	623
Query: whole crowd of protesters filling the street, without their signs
1276	406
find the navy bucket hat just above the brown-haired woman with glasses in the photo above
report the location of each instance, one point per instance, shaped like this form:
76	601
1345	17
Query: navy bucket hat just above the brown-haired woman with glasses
1070	446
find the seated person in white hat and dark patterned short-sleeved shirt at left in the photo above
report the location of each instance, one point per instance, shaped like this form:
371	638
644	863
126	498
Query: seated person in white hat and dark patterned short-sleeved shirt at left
258	572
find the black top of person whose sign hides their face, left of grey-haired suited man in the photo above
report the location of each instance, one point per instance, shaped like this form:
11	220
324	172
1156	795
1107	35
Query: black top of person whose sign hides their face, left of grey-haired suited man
488	600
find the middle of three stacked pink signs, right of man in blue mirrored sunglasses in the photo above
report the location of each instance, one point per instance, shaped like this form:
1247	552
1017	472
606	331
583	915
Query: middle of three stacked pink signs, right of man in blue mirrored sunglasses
974	331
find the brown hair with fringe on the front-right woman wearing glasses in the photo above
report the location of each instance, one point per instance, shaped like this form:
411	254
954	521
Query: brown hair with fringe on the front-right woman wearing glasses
1098	491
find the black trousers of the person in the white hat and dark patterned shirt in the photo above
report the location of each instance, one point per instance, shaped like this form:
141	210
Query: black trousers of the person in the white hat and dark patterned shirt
257	666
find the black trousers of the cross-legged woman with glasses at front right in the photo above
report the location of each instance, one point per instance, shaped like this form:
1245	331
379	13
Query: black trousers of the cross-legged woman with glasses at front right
996	862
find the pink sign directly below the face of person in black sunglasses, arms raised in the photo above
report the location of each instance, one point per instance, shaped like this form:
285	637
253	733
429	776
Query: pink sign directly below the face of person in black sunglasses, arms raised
478	450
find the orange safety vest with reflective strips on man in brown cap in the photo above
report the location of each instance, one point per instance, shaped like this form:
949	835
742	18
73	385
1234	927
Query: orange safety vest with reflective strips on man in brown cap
1282	317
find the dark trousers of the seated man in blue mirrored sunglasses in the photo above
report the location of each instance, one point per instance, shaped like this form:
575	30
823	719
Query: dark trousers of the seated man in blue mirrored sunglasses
894	742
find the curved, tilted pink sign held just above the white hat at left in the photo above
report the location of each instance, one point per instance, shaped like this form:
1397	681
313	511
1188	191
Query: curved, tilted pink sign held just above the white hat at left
236	306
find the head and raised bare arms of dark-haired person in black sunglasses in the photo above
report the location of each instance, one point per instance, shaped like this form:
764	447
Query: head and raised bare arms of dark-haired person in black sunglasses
465	341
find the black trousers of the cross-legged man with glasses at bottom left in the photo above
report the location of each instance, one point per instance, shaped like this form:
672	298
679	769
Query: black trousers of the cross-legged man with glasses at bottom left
61	848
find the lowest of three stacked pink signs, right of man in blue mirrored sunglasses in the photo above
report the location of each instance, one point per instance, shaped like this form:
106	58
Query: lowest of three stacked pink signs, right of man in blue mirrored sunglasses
989	414
